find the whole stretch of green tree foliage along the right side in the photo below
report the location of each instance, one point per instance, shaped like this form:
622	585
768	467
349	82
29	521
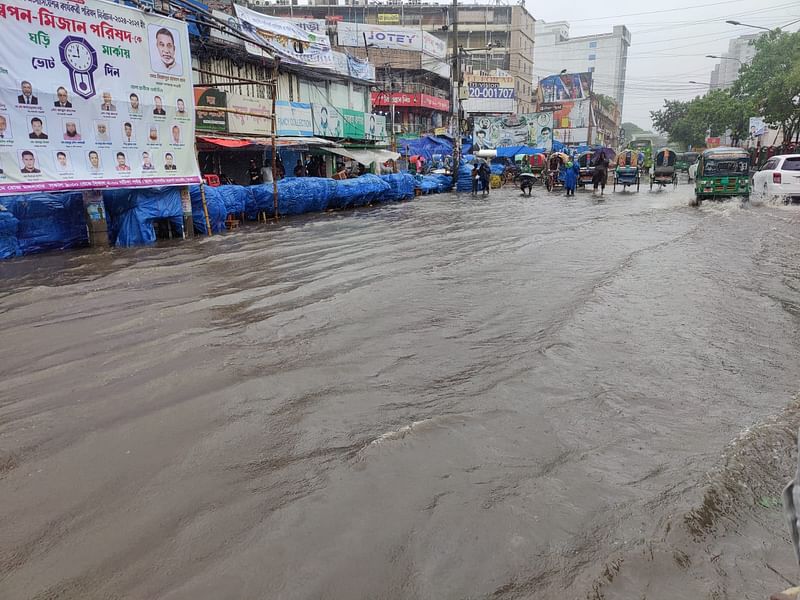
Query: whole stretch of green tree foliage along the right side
766	87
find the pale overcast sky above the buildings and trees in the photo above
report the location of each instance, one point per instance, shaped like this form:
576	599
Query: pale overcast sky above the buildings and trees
668	43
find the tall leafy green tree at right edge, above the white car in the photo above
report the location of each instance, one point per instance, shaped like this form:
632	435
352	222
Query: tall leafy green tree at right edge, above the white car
771	82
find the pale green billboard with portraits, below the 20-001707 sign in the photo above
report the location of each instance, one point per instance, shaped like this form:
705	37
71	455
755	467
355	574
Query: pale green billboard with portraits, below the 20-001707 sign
532	129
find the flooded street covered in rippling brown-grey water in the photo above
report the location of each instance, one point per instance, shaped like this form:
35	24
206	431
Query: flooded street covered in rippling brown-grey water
454	397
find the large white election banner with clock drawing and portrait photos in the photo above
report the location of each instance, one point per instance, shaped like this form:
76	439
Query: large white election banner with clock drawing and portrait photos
93	95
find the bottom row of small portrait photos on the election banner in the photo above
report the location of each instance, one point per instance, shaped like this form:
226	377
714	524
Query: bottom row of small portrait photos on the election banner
96	162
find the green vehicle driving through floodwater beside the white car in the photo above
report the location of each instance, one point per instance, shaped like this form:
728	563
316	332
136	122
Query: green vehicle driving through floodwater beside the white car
722	173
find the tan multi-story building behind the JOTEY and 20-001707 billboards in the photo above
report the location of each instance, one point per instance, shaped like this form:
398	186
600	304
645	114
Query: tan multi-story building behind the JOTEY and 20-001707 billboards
492	38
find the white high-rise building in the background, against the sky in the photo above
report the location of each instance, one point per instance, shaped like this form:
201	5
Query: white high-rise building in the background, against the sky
605	56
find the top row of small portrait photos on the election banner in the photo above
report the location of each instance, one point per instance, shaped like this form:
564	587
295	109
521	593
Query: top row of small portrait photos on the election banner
63	101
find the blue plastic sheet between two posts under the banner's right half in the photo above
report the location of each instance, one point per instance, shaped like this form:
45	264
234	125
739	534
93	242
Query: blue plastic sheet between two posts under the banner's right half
131	213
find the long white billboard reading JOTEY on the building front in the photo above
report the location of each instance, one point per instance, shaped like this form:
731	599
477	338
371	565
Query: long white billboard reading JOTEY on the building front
357	35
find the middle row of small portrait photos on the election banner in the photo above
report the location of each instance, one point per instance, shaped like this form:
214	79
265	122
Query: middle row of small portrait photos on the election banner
70	129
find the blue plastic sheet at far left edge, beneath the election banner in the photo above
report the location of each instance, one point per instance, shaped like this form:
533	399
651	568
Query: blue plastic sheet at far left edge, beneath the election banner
48	221
